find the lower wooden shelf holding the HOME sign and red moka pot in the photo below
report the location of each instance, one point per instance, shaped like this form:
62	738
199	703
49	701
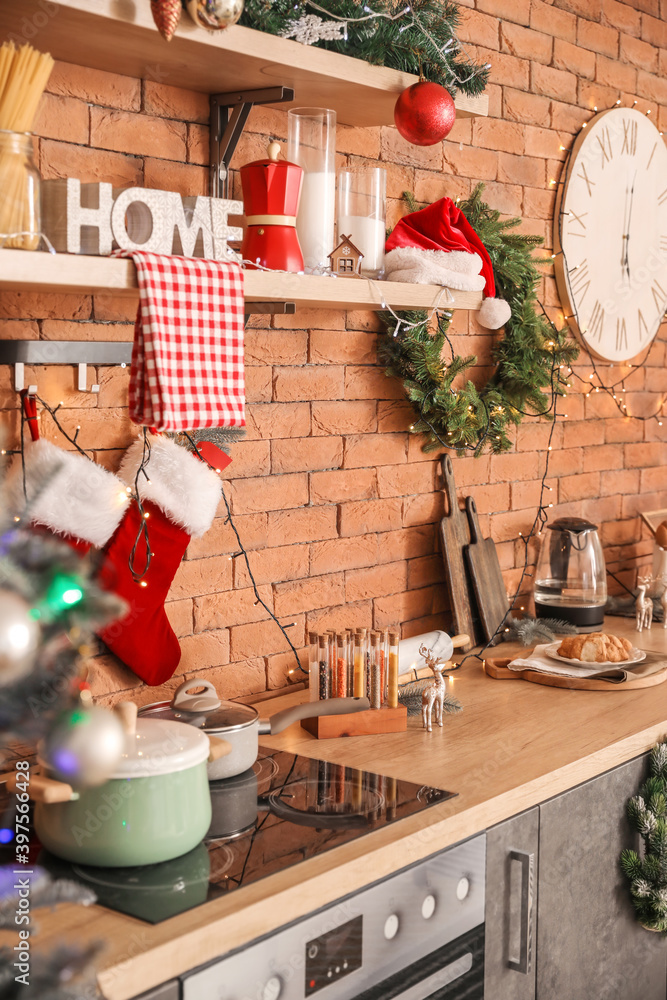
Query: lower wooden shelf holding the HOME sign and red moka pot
26	271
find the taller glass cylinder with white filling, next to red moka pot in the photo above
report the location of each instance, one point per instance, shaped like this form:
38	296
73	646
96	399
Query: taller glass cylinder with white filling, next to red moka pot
311	142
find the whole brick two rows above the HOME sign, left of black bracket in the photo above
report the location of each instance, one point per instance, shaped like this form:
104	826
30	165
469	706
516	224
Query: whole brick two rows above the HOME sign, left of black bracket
137	134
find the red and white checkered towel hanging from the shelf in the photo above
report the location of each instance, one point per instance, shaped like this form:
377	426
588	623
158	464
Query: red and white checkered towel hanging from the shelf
187	360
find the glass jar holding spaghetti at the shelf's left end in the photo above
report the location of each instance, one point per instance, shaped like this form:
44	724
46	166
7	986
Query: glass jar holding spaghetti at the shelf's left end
20	216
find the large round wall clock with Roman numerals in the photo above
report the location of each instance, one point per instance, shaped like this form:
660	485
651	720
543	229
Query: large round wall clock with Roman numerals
611	225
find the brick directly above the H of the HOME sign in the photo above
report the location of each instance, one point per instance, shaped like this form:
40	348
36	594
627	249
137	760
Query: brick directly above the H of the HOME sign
62	159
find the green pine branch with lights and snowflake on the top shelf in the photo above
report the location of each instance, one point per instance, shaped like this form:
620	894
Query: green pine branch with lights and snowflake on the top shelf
417	37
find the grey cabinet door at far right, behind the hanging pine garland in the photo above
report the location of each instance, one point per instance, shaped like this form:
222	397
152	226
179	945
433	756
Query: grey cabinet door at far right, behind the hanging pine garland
589	943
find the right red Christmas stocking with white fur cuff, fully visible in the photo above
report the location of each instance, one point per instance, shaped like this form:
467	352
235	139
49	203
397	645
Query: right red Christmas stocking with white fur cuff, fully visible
180	498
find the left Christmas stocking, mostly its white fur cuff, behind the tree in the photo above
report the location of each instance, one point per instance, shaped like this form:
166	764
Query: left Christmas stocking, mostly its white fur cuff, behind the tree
67	493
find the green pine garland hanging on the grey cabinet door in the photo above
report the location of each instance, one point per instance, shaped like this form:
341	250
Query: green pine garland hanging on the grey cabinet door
647	812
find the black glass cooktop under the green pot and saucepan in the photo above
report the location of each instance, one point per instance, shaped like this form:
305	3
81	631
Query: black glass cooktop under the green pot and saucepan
284	810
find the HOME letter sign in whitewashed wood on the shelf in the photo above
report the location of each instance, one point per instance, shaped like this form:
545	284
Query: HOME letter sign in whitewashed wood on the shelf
94	219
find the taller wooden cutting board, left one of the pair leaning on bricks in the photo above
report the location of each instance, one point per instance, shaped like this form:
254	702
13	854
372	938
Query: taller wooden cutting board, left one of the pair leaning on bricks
454	534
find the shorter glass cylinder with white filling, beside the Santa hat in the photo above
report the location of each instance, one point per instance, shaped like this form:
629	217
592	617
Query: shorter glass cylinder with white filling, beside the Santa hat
362	206
